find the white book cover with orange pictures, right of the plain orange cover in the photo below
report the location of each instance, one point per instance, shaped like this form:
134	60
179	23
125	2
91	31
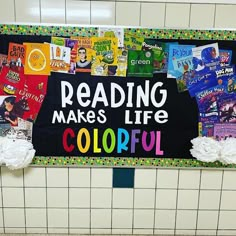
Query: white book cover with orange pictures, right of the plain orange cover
60	59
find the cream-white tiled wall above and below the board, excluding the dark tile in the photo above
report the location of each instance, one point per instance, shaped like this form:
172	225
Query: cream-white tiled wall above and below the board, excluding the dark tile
81	200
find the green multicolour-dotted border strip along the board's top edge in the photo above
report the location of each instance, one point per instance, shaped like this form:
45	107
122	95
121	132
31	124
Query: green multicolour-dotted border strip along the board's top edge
93	31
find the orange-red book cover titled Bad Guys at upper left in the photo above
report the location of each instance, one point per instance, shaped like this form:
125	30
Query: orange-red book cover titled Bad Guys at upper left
16	55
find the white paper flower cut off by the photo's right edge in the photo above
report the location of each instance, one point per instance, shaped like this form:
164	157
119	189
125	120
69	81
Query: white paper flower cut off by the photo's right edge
228	151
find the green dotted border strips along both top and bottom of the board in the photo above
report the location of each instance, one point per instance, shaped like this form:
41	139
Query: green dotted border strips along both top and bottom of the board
67	30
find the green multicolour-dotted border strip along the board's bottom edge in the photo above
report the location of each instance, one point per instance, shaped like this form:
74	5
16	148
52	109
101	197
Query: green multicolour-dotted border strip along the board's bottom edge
124	162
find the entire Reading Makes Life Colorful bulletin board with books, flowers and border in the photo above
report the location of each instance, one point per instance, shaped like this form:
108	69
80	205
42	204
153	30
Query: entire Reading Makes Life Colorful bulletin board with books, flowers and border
117	97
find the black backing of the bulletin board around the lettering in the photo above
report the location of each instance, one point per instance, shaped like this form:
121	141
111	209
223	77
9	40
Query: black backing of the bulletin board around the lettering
175	134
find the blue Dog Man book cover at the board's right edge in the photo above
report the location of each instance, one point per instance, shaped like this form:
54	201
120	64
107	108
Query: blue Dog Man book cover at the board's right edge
226	76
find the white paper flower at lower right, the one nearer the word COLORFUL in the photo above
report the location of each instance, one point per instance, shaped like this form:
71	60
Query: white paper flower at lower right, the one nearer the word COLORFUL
205	149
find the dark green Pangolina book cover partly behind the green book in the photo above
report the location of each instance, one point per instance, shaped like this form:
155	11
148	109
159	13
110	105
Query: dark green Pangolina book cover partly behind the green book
160	54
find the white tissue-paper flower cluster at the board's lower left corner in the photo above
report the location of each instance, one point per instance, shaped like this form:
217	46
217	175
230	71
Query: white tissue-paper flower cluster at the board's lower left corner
16	153
